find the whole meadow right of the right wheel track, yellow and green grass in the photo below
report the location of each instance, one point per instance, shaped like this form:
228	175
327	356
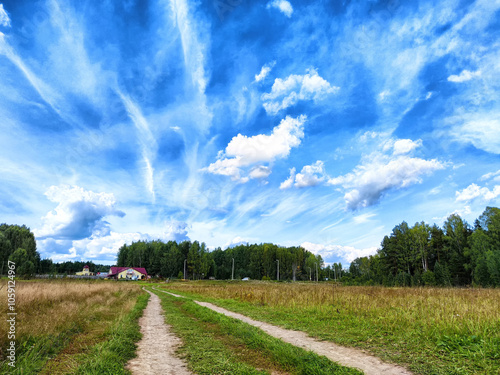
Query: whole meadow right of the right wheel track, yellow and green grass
428	330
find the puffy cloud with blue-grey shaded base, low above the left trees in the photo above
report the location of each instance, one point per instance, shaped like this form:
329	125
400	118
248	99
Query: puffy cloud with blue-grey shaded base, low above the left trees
79	214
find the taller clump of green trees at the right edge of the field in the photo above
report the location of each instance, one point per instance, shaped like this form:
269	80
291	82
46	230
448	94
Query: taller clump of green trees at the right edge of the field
456	255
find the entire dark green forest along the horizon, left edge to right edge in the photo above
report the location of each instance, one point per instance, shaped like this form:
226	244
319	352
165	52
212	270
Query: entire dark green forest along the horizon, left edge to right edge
457	254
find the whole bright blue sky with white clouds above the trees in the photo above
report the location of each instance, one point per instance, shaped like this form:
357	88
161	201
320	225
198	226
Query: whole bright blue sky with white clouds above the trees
315	123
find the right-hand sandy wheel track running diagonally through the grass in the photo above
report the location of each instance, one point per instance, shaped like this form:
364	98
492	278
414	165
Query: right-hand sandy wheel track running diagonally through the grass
349	357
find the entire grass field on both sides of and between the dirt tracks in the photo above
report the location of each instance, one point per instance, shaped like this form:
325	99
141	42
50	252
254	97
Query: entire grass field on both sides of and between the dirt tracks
91	327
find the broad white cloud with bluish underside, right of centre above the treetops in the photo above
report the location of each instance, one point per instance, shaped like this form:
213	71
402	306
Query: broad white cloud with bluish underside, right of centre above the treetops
380	172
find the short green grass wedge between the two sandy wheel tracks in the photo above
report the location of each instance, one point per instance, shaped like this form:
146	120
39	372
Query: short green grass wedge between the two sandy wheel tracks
216	344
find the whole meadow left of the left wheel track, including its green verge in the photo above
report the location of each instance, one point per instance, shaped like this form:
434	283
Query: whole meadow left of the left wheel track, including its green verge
61	324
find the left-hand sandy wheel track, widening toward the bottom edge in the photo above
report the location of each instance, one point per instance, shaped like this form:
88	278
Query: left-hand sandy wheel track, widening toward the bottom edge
156	350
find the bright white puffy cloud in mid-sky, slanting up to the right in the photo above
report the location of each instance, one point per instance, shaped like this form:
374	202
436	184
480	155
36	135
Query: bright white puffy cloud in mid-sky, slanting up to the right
245	151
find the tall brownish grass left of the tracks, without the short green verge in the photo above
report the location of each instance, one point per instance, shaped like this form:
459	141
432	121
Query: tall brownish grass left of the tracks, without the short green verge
52	315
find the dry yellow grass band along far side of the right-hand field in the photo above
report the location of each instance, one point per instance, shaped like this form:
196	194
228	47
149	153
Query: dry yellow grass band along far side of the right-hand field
427	305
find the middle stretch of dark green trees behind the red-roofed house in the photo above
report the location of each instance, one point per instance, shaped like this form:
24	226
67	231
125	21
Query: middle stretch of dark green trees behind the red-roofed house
192	260
